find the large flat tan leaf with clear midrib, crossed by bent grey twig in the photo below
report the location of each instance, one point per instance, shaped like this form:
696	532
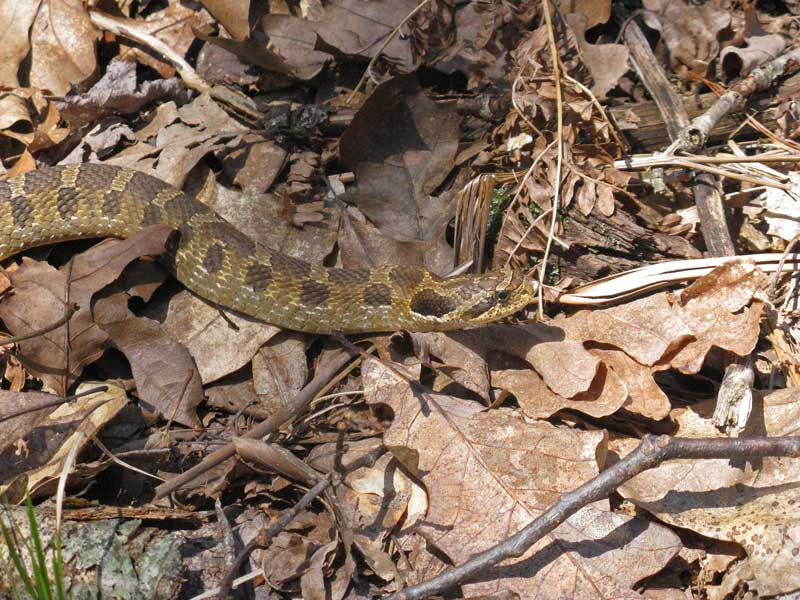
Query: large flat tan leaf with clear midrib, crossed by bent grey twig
489	473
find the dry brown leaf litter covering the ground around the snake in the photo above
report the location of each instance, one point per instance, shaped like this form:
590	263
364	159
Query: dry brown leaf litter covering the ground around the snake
481	430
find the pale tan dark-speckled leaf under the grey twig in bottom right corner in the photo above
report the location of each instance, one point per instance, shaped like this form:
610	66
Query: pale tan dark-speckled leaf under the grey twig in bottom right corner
753	503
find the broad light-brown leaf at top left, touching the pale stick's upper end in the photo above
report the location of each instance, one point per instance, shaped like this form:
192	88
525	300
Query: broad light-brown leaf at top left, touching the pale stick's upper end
63	51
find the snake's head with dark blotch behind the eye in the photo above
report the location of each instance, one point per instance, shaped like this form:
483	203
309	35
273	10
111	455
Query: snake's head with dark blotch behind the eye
465	300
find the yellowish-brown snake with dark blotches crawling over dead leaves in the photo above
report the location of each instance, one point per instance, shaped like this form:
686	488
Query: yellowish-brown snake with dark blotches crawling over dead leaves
222	265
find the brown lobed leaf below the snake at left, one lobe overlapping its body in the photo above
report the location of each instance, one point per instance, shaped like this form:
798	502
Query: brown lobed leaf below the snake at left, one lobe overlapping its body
41	296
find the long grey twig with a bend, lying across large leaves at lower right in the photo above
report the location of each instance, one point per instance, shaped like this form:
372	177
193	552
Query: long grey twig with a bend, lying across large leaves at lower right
651	452
